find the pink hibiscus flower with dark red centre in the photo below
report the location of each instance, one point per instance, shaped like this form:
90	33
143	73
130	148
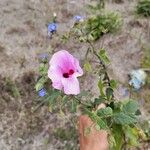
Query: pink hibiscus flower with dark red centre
63	71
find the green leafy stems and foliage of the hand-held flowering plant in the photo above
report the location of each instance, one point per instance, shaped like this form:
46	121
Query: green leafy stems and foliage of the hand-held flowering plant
118	118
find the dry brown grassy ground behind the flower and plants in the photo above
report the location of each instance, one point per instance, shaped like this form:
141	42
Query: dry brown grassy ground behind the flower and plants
23	28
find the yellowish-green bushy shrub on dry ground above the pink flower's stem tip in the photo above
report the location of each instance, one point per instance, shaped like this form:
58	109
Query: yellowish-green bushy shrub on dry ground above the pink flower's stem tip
98	25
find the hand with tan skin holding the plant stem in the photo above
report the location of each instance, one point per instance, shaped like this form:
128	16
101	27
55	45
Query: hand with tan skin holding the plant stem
95	140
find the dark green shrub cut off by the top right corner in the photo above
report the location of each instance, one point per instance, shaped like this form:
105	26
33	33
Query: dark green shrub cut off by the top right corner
143	8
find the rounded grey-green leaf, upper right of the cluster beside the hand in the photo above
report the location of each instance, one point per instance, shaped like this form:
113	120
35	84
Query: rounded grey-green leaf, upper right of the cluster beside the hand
130	107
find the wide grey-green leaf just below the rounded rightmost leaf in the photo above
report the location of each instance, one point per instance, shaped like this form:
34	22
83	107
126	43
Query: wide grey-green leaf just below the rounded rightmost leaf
124	119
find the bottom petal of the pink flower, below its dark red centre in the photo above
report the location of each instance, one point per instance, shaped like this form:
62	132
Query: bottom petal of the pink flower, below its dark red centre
71	85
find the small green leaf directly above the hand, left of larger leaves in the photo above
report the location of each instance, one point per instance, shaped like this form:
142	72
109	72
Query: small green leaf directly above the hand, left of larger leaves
103	112
